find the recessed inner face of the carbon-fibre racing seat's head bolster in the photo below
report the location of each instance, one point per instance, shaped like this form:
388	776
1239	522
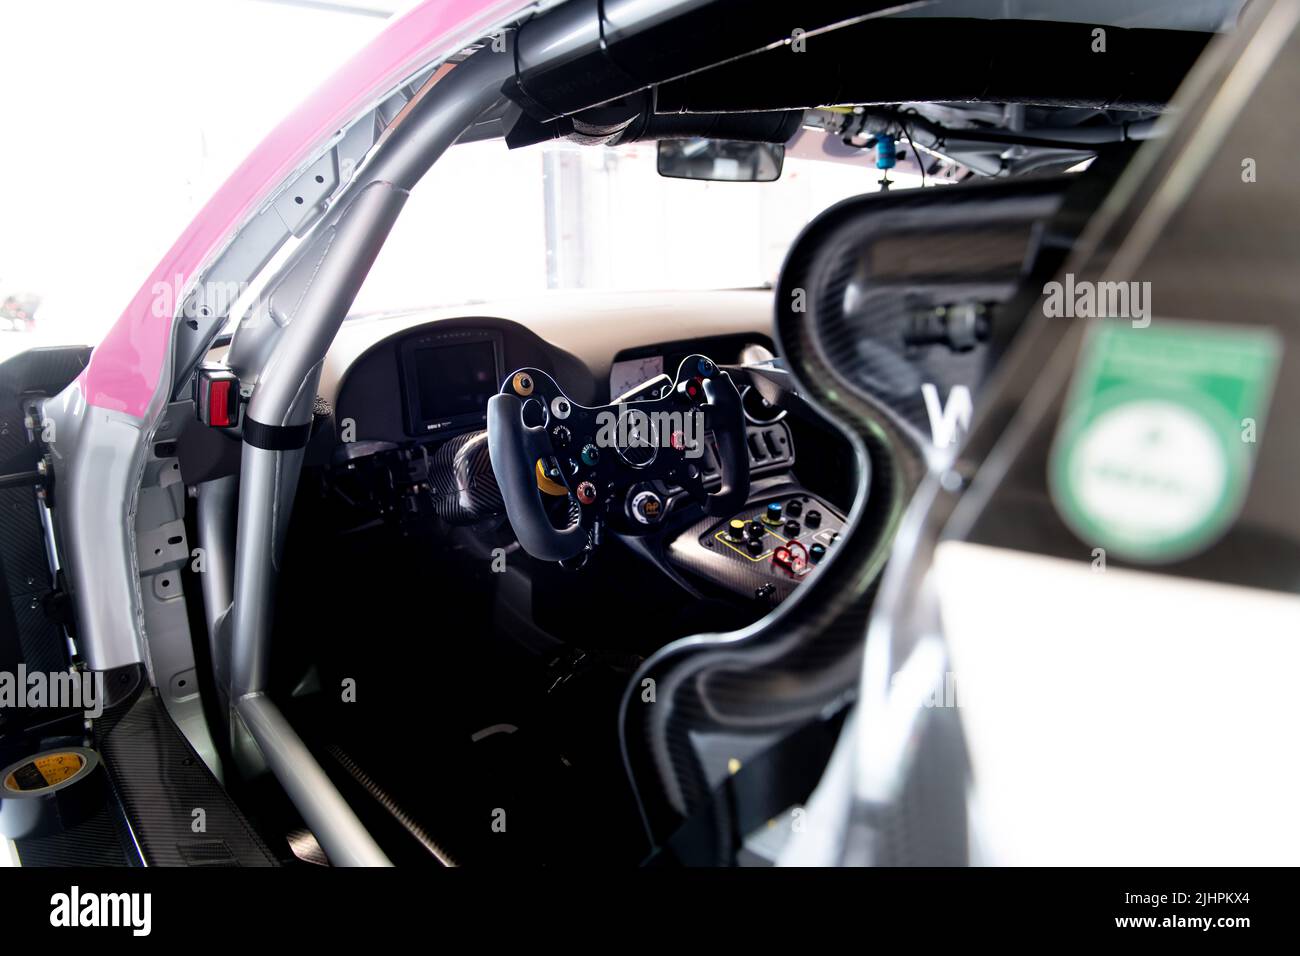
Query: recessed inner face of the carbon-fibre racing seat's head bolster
889	259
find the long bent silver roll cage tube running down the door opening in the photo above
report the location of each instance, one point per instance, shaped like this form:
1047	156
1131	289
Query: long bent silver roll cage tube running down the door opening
279	349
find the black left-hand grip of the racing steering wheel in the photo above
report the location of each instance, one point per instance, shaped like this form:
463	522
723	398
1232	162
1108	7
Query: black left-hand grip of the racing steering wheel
514	449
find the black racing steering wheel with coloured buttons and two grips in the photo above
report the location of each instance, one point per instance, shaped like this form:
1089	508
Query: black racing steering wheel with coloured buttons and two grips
539	438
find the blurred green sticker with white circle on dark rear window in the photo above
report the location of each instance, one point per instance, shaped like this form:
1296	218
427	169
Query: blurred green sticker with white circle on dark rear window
1156	444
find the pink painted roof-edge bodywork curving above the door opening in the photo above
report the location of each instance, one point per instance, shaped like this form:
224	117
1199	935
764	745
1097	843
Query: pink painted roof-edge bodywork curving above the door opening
125	369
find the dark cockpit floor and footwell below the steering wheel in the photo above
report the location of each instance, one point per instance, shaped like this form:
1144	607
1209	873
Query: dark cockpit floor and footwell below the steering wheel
502	747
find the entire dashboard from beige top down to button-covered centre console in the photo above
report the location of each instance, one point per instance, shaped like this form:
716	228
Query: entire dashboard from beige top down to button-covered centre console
411	391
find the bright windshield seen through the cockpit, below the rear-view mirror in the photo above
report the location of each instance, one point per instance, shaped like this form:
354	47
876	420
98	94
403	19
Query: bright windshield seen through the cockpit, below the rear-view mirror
492	223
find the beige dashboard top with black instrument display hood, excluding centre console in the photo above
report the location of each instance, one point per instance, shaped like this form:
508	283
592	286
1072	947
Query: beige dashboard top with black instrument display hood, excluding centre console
428	375
